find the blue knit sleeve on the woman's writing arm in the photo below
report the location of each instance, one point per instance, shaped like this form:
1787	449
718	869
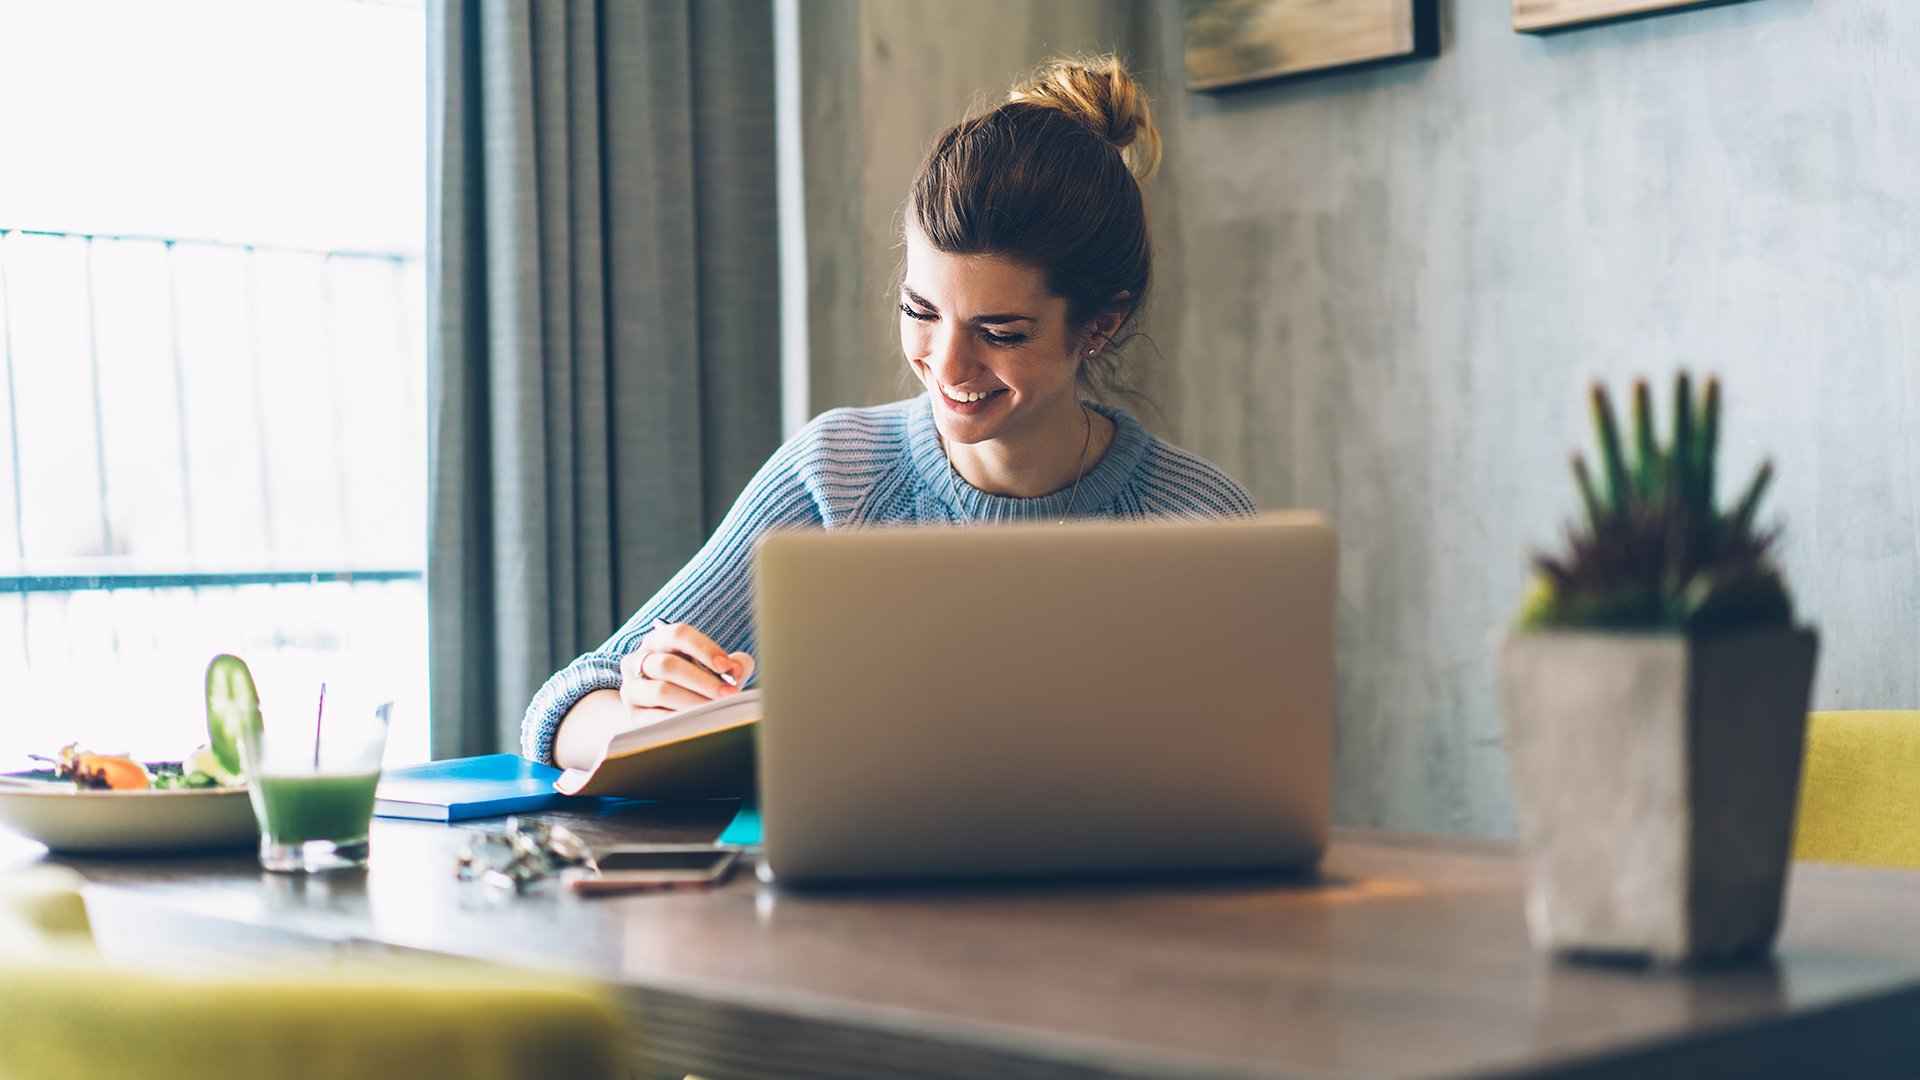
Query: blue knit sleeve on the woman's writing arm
713	593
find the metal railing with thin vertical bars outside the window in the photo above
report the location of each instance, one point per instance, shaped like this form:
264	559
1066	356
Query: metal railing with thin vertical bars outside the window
206	449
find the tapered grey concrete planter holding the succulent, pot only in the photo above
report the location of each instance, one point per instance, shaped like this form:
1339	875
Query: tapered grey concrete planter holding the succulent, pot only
1656	781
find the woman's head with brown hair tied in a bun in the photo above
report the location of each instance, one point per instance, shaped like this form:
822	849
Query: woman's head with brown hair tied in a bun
1030	228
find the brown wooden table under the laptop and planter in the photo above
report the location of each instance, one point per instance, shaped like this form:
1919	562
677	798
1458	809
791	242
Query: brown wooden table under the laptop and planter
1406	958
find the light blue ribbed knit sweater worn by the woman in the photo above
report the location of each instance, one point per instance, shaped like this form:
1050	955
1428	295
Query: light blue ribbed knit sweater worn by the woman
876	466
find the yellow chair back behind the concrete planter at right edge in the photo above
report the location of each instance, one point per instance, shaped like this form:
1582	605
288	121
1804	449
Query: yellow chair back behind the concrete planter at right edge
1861	791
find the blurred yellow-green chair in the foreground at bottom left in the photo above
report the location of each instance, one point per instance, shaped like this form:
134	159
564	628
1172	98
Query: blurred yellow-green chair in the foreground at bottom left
68	1014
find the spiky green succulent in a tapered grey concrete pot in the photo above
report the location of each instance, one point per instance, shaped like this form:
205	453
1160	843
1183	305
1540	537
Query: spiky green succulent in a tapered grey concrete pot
1656	699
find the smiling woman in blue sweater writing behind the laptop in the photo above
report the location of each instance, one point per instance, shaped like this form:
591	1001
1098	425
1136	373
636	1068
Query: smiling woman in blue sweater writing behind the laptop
1026	257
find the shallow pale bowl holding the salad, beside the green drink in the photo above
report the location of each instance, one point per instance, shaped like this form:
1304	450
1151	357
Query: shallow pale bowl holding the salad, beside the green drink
68	820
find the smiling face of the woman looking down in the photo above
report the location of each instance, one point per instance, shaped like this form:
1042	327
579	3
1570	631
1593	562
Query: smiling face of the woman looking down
990	343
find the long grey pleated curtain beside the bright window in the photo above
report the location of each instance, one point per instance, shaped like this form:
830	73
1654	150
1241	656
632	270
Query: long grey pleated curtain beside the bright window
604	372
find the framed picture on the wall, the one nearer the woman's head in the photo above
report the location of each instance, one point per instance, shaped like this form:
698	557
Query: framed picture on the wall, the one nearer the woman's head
1232	43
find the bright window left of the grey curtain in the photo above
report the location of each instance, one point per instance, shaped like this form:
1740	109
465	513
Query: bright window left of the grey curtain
212	339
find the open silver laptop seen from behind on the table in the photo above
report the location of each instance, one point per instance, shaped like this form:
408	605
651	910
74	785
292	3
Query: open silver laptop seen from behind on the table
1038	700
